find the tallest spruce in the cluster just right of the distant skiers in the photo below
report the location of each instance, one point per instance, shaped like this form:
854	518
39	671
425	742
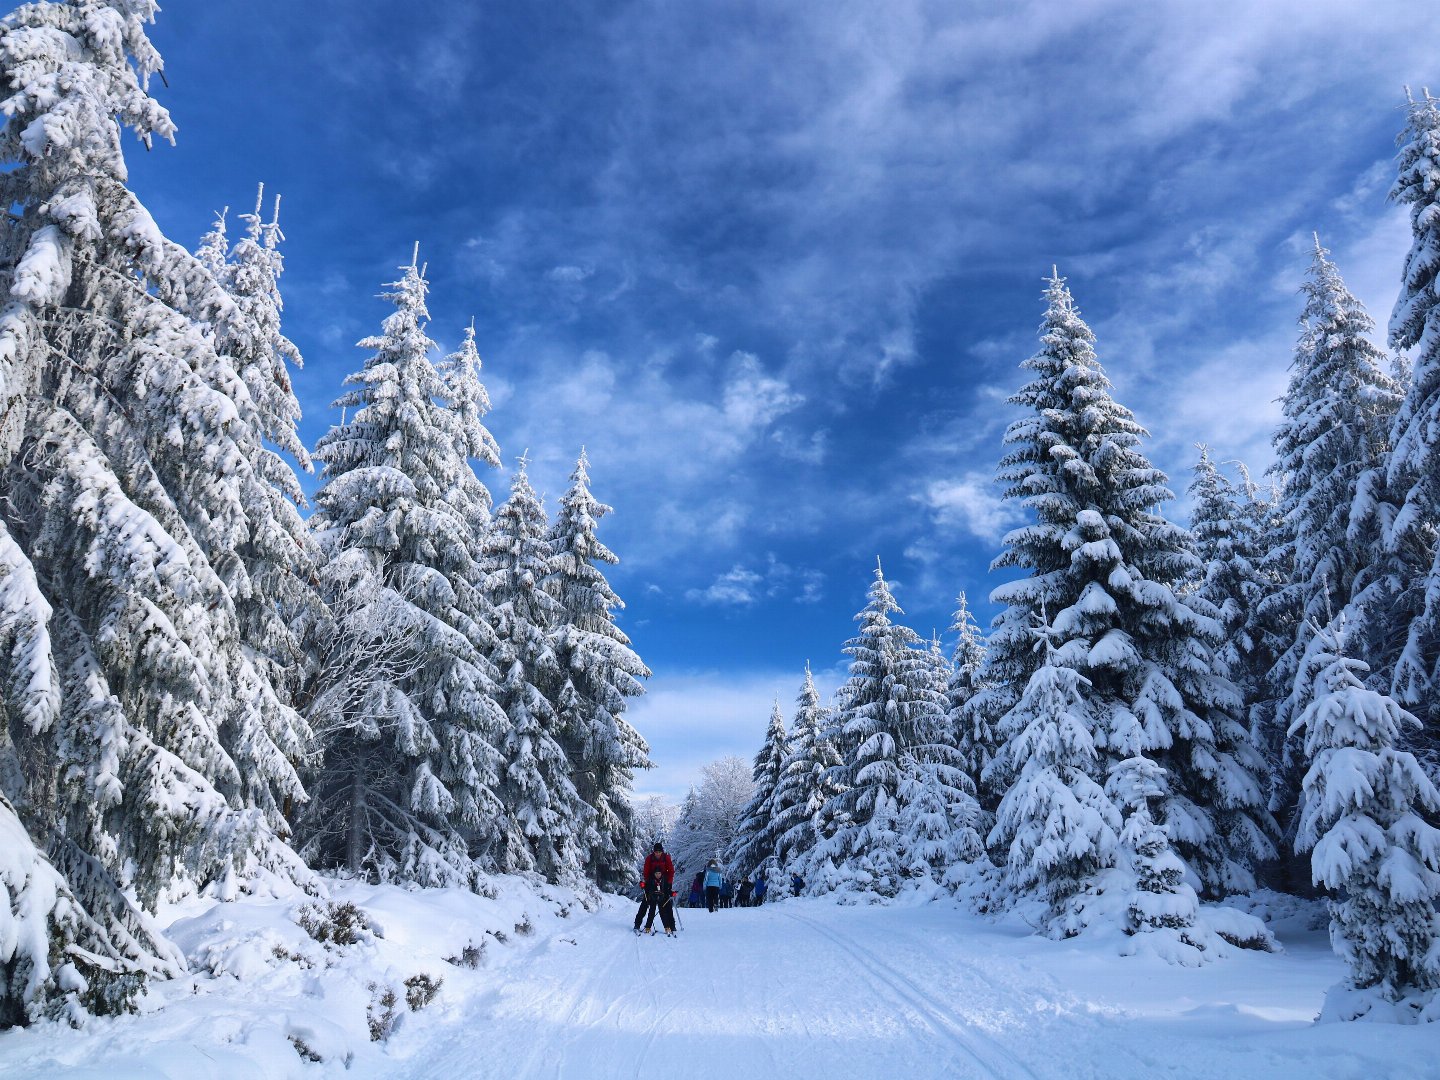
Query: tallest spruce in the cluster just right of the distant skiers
889	709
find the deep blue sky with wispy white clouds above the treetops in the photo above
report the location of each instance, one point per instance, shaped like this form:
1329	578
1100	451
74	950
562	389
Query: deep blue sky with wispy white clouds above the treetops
777	264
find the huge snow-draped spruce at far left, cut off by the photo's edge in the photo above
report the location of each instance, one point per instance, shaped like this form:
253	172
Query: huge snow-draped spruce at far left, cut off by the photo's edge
126	483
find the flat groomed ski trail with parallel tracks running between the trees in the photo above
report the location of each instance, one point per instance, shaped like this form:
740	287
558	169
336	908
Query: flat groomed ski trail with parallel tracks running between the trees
741	993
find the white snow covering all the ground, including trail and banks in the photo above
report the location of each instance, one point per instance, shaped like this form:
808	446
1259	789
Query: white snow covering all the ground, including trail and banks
803	989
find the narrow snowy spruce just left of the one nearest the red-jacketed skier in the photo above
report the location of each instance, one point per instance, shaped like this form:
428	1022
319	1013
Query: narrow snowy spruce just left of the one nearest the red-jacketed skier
546	820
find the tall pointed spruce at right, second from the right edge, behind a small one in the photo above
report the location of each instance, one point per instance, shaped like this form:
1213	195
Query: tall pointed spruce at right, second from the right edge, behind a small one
1338	410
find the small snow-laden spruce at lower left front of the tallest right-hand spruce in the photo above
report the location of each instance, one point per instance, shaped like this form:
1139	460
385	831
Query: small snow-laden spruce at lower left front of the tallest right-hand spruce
1056	827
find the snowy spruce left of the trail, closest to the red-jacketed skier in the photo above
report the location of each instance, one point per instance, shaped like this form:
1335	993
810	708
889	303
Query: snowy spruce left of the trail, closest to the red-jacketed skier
598	673
